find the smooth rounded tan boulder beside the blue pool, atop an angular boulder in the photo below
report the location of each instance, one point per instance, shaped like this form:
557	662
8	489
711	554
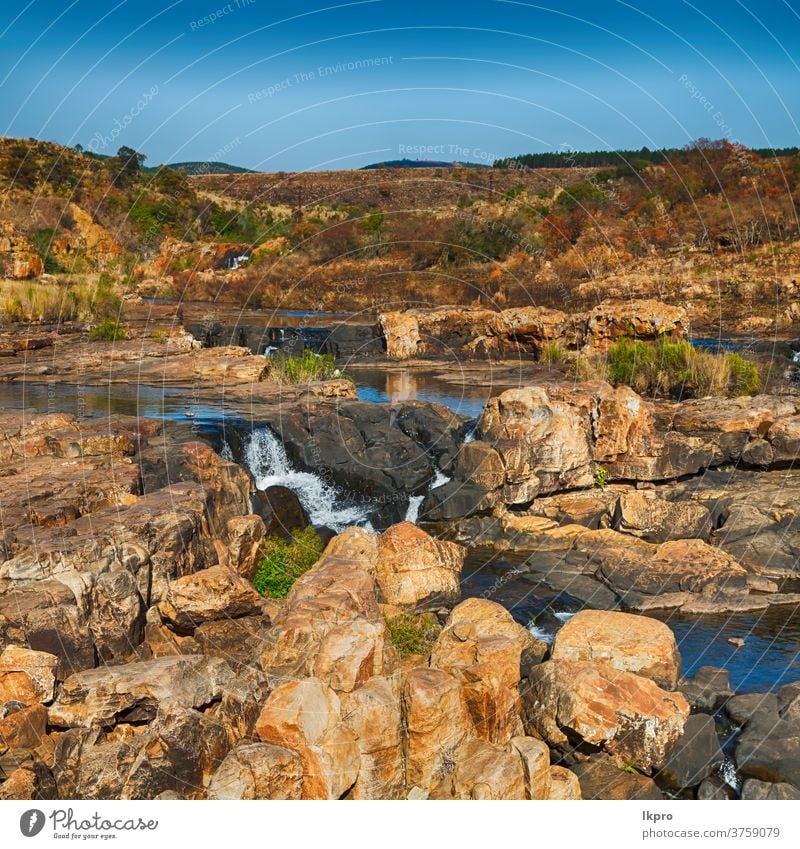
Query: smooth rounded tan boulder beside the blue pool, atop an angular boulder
628	642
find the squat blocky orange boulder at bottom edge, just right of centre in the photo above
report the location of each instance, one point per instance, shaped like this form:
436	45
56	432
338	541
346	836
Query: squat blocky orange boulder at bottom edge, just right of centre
484	771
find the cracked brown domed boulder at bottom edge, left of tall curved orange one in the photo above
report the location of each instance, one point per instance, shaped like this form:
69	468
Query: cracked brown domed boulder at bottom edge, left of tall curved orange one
258	771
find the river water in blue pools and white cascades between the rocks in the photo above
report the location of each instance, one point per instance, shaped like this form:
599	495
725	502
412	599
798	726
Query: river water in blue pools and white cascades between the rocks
768	659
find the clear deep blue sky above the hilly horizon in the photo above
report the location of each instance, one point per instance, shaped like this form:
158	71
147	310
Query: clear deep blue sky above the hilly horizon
310	85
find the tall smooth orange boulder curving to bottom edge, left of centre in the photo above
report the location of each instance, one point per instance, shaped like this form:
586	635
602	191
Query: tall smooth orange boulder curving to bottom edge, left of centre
305	716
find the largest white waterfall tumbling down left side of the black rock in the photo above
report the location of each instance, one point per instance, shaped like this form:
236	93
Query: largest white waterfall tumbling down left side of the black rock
269	465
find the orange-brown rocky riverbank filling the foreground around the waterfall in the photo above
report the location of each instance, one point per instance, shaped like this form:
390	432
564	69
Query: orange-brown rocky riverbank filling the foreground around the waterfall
137	660
